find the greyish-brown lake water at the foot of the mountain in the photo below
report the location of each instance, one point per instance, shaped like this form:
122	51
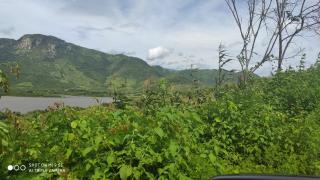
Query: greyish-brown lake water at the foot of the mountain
27	104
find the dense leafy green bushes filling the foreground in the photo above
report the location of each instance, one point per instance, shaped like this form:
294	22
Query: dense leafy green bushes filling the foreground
270	126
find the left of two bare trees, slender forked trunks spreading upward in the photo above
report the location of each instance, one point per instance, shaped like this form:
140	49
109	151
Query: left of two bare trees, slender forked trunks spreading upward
250	30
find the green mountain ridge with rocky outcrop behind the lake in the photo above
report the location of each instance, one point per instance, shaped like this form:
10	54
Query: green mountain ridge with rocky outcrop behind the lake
52	65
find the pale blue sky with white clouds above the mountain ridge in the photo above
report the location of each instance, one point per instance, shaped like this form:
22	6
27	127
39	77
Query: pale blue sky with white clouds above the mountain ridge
170	33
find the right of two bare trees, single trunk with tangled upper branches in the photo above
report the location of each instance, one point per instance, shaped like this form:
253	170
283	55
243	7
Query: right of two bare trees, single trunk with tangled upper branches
292	18
